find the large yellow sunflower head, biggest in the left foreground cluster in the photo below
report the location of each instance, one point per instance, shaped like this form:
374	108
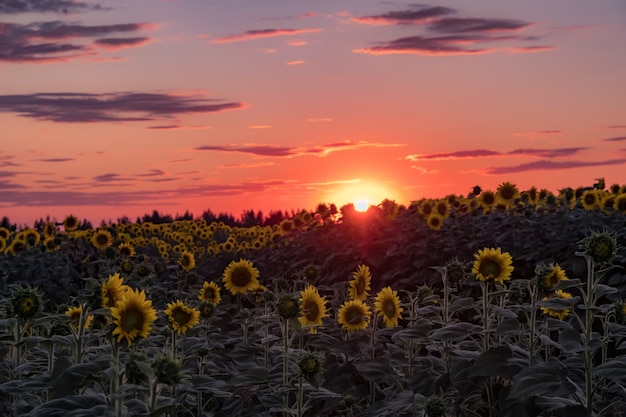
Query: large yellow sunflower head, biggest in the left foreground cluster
133	316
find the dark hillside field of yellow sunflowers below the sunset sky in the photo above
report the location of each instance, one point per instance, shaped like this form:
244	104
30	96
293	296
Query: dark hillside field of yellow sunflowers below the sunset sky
502	302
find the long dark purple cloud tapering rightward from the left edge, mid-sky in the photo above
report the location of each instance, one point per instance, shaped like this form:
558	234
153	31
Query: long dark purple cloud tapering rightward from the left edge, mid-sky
127	106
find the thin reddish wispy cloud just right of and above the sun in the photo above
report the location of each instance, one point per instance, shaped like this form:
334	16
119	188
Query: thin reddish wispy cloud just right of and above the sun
485	153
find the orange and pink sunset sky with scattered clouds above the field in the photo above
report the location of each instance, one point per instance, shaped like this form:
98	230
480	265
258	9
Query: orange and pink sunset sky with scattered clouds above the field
121	108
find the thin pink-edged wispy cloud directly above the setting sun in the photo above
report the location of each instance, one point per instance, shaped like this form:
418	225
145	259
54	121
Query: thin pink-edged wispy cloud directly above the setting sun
286	151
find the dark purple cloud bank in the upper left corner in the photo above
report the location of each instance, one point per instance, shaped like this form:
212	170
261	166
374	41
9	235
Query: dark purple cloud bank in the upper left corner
35	42
